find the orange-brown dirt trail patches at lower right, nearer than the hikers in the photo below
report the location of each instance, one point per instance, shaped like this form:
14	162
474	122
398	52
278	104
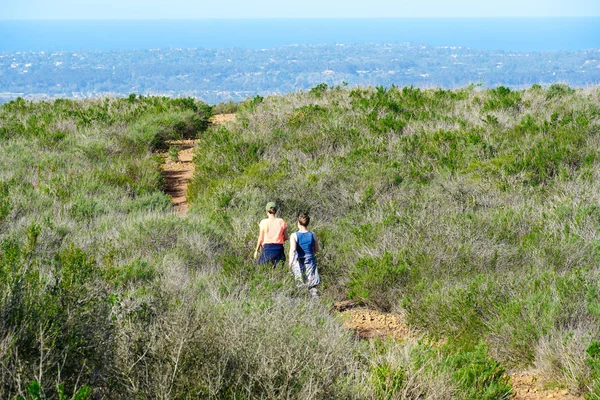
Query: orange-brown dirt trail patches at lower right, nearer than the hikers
370	324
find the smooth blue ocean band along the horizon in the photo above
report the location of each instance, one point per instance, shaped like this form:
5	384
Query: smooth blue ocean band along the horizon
506	34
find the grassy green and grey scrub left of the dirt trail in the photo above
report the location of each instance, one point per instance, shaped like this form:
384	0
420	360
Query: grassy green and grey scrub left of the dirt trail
105	293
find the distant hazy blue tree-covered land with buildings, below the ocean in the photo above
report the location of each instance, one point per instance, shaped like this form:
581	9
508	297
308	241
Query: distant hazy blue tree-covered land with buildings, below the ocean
233	74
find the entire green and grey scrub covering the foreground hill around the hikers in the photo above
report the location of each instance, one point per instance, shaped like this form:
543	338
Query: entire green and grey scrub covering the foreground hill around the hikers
474	211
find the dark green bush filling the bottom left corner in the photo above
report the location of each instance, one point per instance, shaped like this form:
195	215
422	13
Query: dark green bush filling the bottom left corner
57	320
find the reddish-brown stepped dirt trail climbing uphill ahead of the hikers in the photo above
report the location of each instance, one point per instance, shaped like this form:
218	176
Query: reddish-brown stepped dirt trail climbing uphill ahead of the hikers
177	173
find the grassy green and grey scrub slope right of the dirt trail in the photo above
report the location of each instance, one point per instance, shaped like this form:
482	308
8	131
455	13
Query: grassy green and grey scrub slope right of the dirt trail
476	211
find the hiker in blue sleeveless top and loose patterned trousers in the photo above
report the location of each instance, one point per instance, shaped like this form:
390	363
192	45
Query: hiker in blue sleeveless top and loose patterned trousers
303	246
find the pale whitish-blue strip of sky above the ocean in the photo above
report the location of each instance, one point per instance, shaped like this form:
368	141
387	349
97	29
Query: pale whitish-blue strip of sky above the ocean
191	9
